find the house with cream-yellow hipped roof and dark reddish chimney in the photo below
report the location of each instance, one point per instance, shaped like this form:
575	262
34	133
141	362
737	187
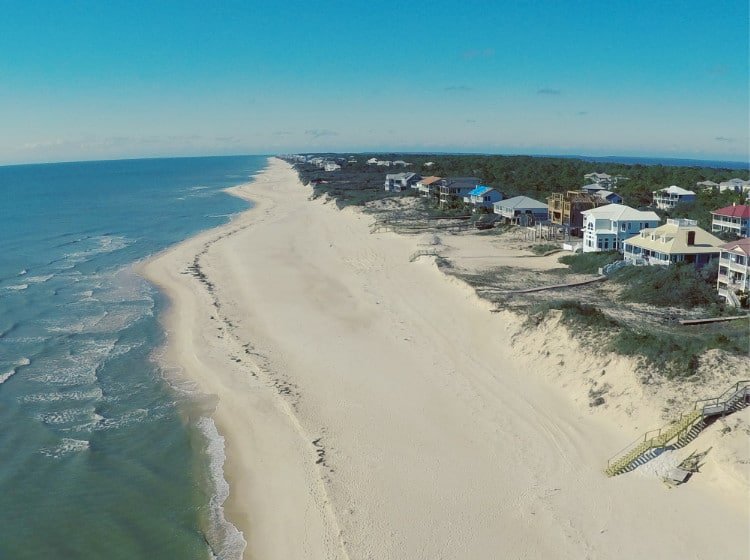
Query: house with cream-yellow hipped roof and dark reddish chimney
676	241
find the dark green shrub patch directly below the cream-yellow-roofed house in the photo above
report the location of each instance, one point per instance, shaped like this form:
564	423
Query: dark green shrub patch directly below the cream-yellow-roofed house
677	285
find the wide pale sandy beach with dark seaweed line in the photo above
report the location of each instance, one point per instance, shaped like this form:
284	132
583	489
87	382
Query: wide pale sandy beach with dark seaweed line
373	407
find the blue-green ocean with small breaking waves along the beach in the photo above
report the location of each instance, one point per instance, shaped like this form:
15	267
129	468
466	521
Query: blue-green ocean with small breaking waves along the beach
99	456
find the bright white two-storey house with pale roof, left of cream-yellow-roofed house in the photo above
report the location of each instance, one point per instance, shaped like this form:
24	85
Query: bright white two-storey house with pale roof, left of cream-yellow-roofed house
606	228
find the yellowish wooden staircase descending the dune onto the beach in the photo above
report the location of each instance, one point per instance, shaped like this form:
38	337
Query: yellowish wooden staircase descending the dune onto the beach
681	431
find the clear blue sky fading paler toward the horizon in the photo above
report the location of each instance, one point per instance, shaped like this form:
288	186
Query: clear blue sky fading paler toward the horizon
100	80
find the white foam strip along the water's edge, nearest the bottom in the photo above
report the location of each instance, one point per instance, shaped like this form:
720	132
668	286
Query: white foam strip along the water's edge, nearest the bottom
226	541
